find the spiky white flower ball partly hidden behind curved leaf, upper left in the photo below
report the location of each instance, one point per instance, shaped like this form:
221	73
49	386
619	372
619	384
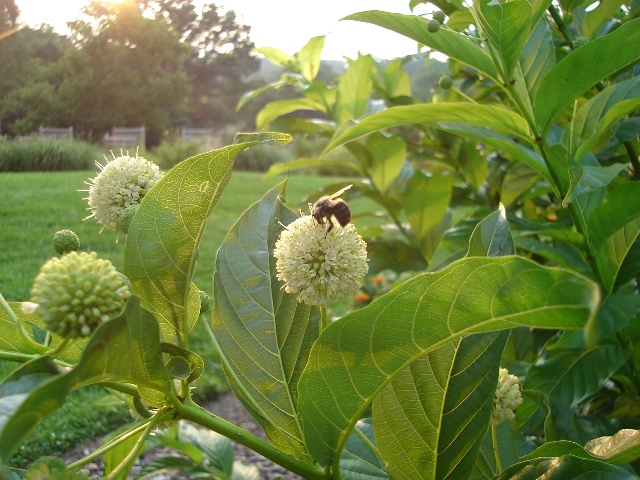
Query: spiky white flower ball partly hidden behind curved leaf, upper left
122	182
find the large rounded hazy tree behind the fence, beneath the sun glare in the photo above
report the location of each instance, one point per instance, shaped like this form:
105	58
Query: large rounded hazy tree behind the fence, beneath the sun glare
127	71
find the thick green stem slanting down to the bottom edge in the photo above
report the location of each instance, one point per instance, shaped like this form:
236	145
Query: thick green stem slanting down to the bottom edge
192	412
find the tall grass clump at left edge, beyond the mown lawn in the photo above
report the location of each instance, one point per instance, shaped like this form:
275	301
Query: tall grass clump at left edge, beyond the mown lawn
46	155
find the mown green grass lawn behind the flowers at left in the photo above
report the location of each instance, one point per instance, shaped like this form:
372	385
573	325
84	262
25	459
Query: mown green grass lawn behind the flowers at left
33	206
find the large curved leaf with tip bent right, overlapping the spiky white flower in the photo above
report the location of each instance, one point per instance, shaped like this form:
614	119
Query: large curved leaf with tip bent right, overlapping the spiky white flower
162	243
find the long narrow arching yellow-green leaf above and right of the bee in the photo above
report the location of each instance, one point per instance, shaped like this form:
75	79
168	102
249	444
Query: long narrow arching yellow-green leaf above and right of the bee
433	114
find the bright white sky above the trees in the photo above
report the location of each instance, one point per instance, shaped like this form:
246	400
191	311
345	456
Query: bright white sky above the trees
284	24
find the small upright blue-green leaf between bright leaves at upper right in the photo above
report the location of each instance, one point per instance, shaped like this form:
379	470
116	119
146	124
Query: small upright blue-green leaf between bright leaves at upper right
538	56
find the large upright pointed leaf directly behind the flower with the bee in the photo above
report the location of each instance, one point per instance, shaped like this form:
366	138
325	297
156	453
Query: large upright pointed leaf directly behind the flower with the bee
263	332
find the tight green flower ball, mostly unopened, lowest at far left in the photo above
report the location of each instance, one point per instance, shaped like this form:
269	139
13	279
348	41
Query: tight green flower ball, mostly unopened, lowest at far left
77	292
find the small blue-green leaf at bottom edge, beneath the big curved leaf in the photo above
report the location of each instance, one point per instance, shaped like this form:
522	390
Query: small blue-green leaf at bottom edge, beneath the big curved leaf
359	459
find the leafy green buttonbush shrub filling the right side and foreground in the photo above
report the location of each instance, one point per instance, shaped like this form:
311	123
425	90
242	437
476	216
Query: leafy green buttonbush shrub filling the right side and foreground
514	194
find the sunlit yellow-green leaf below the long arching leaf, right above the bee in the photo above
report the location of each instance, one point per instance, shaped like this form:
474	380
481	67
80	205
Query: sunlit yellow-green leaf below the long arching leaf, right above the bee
387	158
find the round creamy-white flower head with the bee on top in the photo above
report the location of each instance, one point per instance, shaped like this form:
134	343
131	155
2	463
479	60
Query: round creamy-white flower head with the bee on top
320	266
